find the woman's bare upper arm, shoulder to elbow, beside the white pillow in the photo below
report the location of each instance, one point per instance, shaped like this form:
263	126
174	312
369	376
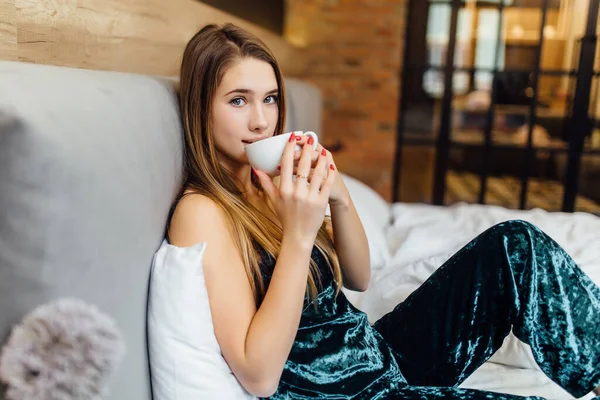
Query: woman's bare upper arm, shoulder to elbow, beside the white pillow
198	219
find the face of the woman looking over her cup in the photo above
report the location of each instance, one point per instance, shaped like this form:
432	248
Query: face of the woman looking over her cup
245	108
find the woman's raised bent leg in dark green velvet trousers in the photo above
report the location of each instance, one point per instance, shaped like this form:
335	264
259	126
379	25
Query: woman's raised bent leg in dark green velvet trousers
512	276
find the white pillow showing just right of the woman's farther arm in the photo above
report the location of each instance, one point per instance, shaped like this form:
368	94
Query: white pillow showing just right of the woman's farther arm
374	213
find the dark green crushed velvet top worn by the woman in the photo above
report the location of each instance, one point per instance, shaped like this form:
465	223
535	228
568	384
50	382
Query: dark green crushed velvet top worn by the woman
336	352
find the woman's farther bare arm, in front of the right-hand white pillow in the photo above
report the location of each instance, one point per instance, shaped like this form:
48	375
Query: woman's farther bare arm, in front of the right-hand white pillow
350	242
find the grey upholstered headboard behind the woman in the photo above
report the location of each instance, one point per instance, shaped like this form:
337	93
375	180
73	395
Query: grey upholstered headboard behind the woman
89	164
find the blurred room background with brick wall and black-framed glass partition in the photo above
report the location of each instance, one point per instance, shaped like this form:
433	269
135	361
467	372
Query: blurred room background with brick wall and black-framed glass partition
501	130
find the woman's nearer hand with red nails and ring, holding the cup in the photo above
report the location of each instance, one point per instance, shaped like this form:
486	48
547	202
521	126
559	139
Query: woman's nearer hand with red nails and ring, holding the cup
301	204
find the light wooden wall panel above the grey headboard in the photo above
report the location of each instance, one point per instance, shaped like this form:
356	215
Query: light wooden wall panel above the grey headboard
141	36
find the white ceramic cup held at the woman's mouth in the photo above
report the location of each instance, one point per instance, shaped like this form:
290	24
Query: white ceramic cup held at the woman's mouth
265	155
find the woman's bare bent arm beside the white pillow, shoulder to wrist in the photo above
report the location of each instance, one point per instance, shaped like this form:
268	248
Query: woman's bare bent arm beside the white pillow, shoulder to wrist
255	343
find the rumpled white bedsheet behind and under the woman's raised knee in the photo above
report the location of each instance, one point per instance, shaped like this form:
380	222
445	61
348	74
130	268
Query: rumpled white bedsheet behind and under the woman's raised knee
424	236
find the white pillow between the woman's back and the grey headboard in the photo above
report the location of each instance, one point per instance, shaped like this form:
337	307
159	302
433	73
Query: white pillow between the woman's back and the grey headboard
185	358
